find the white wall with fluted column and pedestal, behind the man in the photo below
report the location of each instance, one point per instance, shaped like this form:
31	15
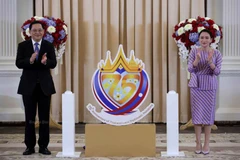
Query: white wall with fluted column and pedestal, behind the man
12	15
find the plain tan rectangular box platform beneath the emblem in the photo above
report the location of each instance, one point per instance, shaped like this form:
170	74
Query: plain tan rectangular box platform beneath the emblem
134	140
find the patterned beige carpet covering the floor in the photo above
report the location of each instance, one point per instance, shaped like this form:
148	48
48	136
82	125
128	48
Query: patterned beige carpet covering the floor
223	147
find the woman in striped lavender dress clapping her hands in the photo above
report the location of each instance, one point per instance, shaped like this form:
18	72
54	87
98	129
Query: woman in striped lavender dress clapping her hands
204	64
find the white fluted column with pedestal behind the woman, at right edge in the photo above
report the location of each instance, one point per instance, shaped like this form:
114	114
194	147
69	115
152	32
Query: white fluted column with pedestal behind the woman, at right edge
226	13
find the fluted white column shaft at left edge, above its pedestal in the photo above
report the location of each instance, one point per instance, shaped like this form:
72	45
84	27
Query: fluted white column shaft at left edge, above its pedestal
8	34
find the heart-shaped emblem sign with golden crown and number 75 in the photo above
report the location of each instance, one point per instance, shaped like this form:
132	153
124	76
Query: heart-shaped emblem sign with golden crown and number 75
120	87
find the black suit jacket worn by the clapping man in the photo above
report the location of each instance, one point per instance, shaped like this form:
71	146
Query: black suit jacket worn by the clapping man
36	72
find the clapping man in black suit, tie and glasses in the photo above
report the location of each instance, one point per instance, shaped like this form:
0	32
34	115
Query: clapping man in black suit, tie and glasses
36	57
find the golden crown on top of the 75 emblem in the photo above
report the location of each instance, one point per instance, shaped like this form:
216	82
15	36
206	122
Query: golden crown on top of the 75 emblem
130	65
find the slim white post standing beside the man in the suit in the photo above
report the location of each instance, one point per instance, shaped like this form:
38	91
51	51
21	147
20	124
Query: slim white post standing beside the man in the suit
68	126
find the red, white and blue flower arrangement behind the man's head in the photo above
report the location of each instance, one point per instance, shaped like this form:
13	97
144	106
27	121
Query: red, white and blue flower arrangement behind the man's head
56	32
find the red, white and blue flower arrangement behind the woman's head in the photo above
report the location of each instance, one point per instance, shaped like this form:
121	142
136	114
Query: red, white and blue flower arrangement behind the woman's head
186	34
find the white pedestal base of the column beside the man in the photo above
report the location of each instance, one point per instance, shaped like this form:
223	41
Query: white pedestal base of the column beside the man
11	109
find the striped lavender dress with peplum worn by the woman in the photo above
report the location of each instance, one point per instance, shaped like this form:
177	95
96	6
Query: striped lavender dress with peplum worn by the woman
203	85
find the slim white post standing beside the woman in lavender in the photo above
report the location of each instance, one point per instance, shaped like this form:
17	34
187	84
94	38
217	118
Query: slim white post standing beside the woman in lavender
172	126
